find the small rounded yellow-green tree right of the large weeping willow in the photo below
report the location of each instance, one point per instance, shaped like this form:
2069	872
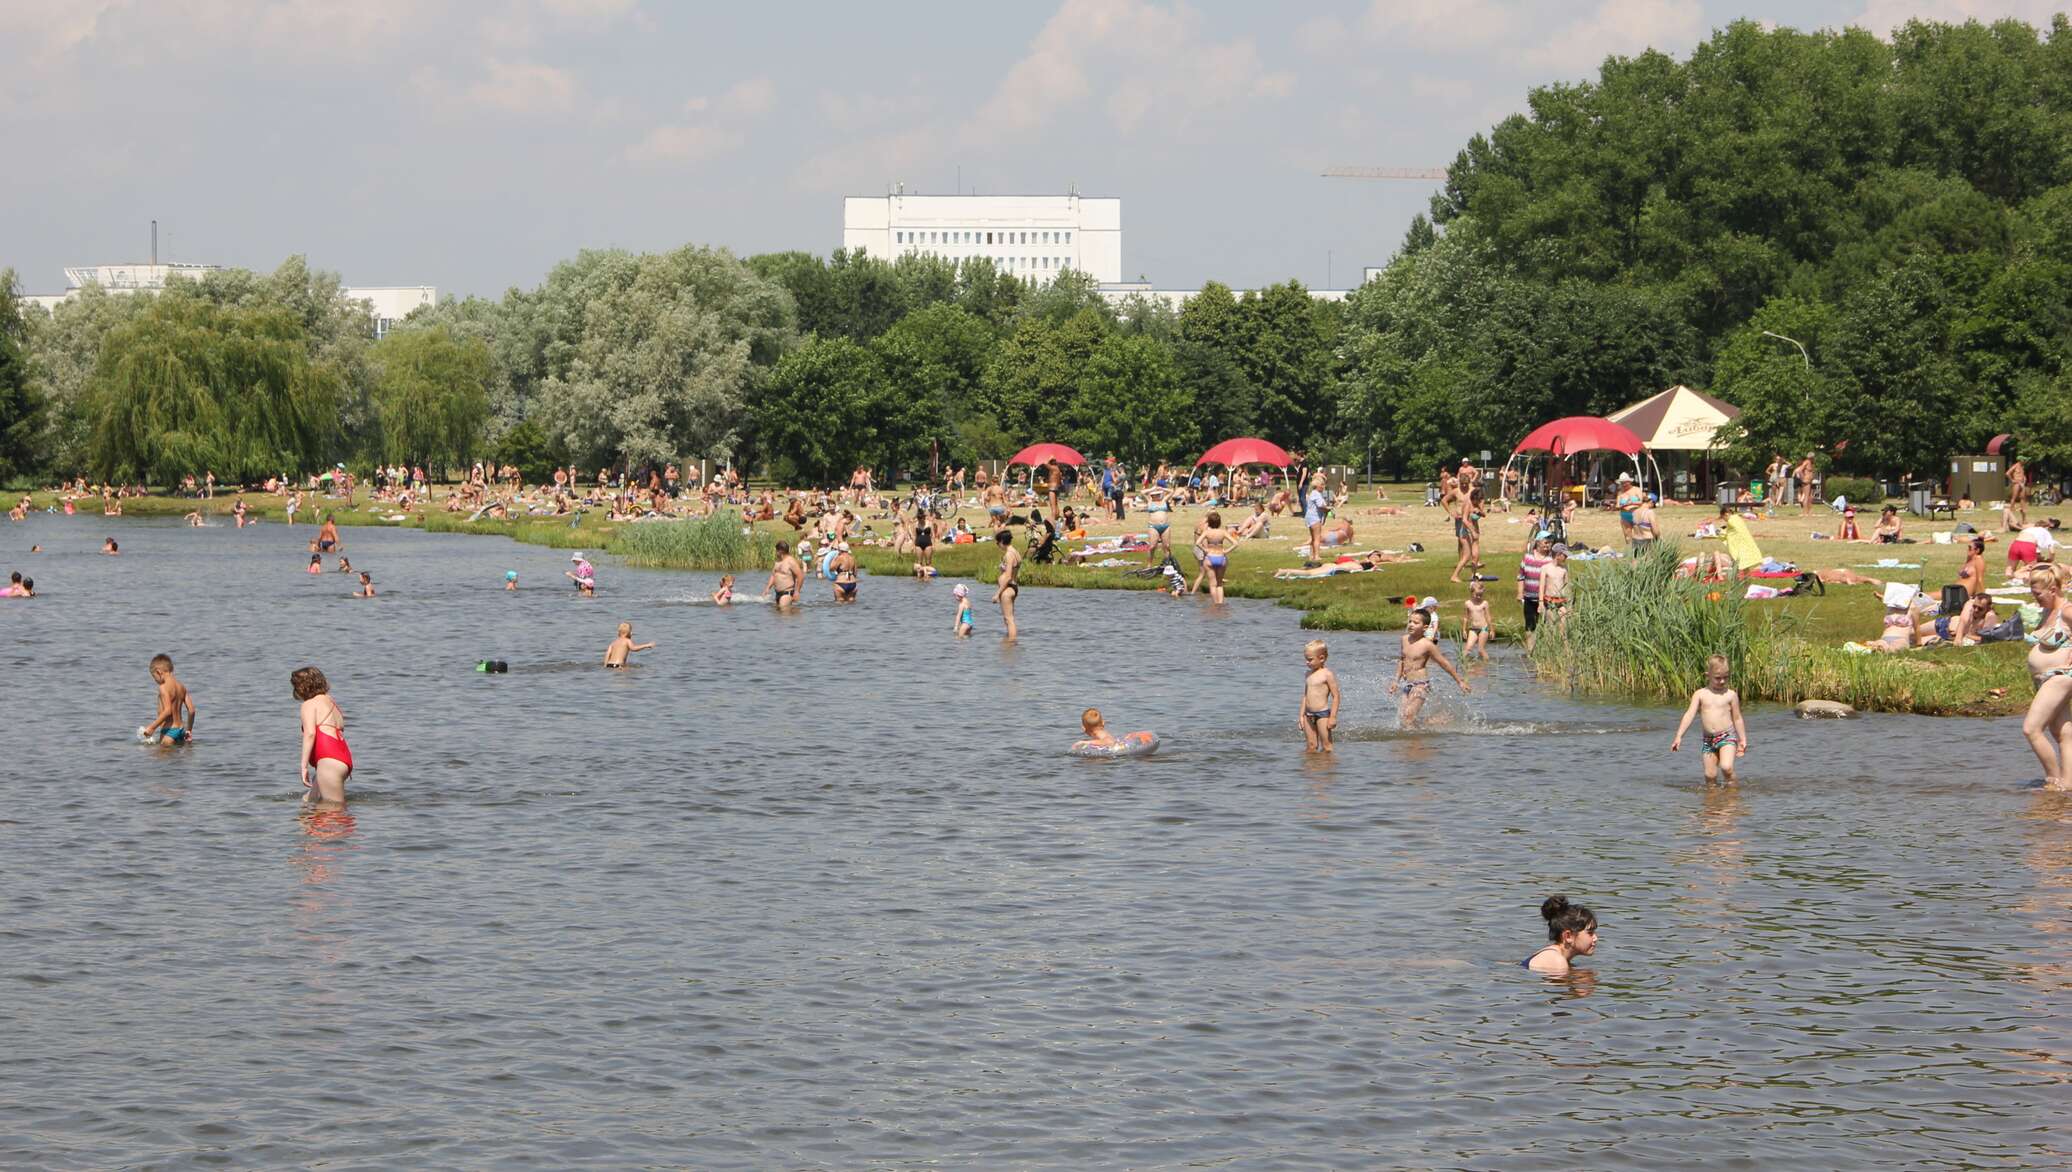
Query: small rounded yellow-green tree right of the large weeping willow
432	397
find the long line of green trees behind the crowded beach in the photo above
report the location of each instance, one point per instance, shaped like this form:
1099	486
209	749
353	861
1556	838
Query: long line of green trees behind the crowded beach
1862	243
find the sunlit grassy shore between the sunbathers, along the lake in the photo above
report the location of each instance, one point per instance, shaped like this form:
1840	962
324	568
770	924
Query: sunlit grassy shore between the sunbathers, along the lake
1802	637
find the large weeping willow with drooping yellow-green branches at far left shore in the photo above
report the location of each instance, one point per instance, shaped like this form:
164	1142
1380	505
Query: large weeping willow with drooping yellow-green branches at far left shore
192	386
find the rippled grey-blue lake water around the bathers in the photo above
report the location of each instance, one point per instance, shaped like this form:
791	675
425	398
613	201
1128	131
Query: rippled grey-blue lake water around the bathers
824	889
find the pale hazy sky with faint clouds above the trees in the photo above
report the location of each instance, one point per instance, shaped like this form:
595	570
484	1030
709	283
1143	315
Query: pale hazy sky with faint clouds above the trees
473	144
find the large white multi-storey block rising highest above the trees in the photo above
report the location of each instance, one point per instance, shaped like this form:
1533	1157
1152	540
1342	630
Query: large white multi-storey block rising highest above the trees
1033	237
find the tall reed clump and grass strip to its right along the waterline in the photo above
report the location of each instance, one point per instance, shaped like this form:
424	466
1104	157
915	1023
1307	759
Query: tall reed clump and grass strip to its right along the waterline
1638	631
